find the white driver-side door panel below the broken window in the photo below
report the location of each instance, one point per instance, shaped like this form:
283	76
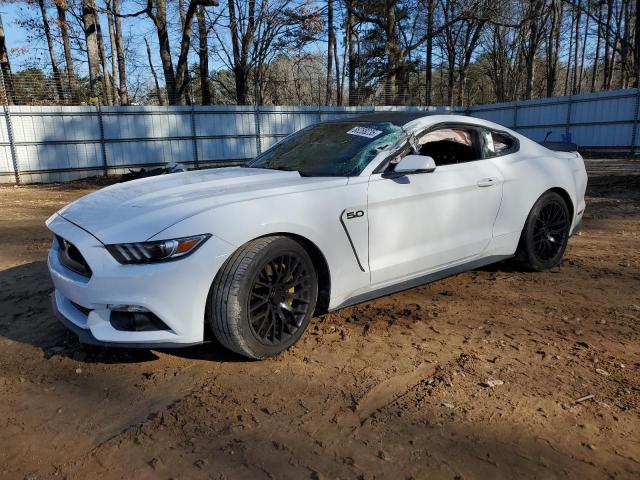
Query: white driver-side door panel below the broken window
425	222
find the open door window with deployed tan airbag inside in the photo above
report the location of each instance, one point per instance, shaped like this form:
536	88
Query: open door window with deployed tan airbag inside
449	145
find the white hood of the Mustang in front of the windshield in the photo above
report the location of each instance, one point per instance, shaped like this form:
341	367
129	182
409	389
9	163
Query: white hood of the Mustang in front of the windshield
137	210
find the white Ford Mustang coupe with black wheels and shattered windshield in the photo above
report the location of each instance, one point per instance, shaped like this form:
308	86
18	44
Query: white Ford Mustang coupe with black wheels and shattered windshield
335	214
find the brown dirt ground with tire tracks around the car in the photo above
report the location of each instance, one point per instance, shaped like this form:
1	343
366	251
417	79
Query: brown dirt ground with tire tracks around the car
393	388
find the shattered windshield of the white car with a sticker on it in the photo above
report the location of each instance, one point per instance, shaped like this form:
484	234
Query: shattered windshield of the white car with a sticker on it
340	149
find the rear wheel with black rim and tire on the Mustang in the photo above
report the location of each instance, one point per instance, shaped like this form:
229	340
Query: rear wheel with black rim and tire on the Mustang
545	234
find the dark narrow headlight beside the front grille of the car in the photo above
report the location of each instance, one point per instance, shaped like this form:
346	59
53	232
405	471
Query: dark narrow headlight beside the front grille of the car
158	251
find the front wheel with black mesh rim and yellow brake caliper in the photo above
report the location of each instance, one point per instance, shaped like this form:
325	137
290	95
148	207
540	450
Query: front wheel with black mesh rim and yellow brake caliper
263	297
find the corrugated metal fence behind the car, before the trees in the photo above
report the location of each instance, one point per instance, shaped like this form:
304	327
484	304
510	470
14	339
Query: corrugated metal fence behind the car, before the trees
54	144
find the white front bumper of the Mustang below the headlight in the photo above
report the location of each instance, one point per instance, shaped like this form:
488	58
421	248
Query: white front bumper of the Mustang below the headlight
176	292
